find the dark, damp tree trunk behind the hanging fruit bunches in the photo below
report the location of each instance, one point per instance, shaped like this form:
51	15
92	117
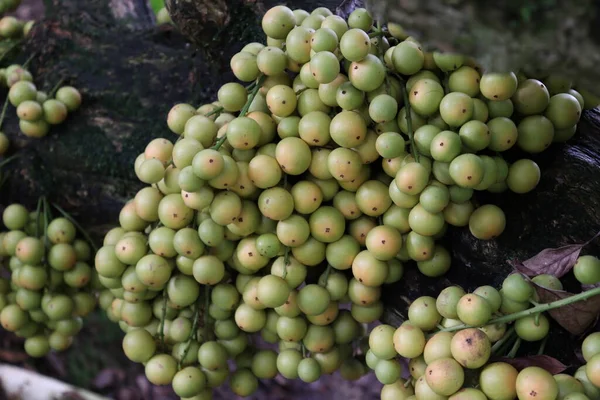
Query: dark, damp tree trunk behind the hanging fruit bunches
131	73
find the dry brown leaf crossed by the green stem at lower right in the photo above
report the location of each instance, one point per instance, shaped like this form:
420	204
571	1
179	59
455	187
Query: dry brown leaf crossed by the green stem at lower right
575	317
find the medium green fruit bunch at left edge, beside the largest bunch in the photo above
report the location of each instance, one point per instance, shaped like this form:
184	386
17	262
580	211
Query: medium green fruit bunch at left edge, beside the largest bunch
47	284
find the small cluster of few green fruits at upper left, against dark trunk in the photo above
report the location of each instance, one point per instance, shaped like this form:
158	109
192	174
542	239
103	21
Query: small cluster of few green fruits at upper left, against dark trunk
37	111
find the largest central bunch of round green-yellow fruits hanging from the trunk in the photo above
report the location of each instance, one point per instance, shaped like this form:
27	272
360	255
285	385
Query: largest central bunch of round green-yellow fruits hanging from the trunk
284	207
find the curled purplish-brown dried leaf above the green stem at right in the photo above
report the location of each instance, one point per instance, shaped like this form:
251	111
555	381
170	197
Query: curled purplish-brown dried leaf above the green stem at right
557	262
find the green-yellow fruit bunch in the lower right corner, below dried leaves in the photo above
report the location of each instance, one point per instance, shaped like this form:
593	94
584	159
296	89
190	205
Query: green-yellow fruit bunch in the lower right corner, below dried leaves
450	341
